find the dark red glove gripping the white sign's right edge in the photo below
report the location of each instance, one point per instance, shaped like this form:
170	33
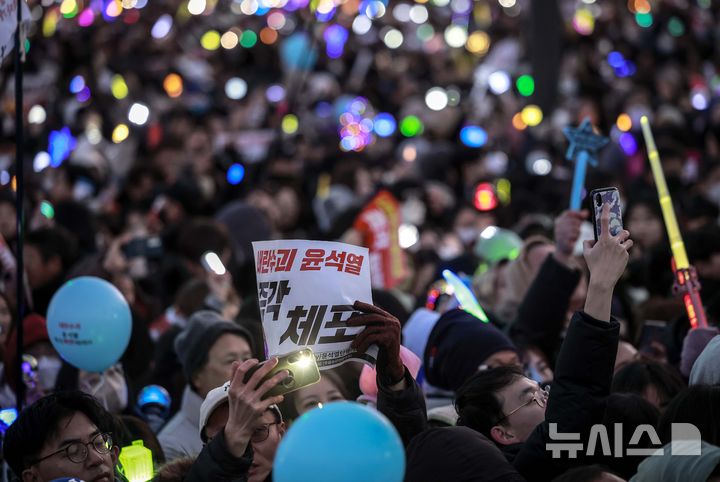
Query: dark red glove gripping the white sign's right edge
381	329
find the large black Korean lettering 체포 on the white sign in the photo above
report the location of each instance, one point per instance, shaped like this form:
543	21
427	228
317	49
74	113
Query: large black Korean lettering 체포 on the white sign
306	323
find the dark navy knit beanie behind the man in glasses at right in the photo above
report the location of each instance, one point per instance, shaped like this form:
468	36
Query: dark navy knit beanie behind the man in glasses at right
458	344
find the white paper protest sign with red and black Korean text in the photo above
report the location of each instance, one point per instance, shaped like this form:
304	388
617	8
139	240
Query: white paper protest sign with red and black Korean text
306	290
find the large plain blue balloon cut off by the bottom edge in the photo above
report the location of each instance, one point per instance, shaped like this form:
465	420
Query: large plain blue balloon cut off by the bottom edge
340	441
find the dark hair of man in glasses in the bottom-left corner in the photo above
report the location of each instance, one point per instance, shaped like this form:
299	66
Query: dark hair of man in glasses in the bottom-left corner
41	421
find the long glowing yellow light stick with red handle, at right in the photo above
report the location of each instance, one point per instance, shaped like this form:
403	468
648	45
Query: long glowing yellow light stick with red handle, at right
686	280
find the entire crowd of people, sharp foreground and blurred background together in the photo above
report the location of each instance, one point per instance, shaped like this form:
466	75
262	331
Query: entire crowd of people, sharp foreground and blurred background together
153	137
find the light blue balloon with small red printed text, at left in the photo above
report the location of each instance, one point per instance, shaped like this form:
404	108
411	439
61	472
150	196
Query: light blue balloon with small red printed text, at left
89	323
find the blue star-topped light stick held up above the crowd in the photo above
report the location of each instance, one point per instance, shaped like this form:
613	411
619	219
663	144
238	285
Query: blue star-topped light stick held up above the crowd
584	144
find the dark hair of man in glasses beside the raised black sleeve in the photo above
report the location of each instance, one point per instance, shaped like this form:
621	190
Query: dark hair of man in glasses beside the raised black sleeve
476	401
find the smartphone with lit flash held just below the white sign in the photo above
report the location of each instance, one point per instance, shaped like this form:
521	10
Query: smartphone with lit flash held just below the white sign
301	366
